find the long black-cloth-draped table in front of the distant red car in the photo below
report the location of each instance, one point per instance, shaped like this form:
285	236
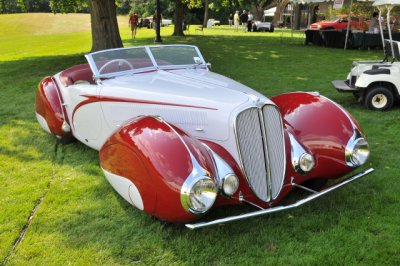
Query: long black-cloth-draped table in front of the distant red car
357	40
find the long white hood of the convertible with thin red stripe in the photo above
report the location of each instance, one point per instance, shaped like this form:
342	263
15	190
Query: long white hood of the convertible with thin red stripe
199	101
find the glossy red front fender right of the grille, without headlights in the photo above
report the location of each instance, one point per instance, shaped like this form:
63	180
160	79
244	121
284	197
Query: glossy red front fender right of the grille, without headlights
322	126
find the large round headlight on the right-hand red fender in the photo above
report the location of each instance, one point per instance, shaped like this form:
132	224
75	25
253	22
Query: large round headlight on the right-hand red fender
357	152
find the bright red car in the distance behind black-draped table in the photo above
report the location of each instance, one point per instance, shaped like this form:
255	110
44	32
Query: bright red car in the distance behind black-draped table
340	23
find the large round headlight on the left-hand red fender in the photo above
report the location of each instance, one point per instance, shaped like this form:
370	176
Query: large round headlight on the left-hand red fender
198	195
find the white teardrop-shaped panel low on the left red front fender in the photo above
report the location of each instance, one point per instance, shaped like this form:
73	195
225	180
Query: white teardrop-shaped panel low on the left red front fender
125	188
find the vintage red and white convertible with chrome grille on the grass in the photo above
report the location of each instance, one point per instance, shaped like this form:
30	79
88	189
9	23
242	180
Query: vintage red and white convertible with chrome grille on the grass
177	140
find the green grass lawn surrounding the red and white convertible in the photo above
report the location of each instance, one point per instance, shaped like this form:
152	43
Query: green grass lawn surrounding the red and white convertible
81	220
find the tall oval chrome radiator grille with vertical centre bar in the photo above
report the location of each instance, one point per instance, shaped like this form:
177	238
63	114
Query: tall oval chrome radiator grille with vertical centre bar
262	150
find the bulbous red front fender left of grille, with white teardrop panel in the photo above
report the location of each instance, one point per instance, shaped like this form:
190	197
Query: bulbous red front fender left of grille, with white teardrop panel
147	161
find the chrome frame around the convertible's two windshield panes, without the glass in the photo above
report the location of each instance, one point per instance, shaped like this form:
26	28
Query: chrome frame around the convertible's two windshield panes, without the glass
97	76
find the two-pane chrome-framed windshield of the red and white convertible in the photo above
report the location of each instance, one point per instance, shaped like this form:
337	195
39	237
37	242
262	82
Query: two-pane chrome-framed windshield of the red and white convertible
114	62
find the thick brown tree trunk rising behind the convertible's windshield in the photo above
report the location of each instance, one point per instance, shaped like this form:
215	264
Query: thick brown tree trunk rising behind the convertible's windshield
105	31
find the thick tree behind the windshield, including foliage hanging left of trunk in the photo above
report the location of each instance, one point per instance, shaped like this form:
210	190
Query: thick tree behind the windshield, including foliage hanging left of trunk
103	18
